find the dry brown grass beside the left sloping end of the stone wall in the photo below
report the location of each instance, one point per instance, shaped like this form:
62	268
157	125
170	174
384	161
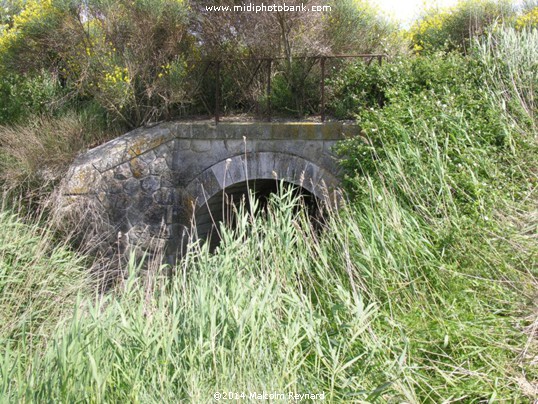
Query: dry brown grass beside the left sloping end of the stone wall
34	157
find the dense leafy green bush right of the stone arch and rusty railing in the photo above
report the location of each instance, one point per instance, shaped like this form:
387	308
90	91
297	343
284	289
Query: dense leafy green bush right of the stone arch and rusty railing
437	111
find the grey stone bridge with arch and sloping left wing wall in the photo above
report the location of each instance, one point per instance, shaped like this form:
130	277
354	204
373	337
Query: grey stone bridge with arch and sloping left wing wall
148	187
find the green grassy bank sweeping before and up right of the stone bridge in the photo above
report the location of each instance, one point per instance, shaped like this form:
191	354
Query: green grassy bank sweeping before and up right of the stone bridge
422	288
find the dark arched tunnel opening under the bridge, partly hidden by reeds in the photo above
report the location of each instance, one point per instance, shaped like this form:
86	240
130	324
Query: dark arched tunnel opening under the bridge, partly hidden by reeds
220	207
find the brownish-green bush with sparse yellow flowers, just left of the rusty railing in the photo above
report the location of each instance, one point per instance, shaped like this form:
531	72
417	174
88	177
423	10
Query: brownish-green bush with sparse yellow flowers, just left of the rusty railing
133	57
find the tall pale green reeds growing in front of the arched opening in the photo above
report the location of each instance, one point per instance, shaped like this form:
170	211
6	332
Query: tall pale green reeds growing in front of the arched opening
267	312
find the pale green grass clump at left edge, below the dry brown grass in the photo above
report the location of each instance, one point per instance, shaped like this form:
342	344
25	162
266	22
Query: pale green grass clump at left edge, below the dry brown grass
39	279
